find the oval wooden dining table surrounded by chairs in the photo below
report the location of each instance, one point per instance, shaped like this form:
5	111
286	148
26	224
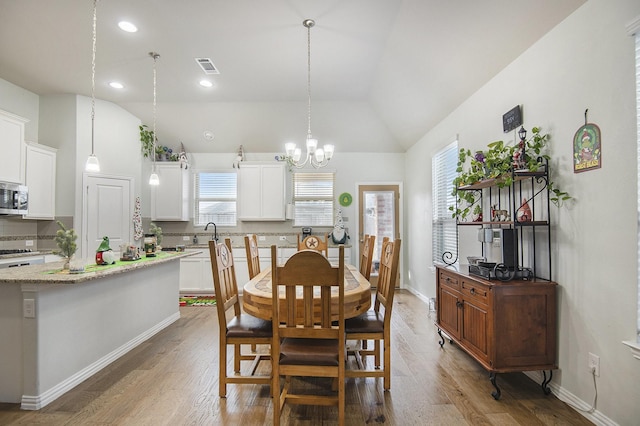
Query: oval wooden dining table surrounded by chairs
256	297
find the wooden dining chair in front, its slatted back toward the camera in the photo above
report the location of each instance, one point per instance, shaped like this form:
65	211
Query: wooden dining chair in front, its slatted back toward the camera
301	345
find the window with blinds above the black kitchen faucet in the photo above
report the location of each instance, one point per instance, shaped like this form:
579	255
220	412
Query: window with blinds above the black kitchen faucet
215	198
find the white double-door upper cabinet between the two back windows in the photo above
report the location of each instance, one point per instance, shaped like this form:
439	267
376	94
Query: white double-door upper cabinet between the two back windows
261	192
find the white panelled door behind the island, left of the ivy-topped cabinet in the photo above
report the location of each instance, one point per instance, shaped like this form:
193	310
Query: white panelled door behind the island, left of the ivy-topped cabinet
107	212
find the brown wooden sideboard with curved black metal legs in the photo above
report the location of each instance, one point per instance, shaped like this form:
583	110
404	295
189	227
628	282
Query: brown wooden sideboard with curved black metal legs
505	326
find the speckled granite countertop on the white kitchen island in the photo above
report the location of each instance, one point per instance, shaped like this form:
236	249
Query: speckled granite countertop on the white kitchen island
51	273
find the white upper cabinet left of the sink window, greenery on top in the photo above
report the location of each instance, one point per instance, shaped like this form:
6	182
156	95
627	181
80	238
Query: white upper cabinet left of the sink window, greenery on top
170	199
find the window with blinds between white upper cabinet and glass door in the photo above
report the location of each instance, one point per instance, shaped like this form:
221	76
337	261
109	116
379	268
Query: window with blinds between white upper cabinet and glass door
313	199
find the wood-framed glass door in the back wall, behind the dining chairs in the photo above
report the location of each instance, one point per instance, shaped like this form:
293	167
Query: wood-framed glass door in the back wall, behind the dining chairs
379	213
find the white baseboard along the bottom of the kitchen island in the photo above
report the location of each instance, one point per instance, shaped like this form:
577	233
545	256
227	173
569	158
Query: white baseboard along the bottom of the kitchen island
36	402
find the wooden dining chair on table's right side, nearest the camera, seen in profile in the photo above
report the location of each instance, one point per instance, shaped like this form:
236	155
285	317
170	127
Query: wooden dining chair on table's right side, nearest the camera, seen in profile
375	324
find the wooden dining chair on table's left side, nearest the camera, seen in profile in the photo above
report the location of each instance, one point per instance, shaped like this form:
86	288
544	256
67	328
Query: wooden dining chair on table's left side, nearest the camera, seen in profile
240	328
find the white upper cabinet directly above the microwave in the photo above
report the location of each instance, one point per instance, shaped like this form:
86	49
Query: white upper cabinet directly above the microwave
12	146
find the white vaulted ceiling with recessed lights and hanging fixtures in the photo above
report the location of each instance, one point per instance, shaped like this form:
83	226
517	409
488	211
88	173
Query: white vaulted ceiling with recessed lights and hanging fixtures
383	71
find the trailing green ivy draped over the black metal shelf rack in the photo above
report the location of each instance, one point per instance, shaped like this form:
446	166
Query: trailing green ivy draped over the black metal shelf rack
497	163
